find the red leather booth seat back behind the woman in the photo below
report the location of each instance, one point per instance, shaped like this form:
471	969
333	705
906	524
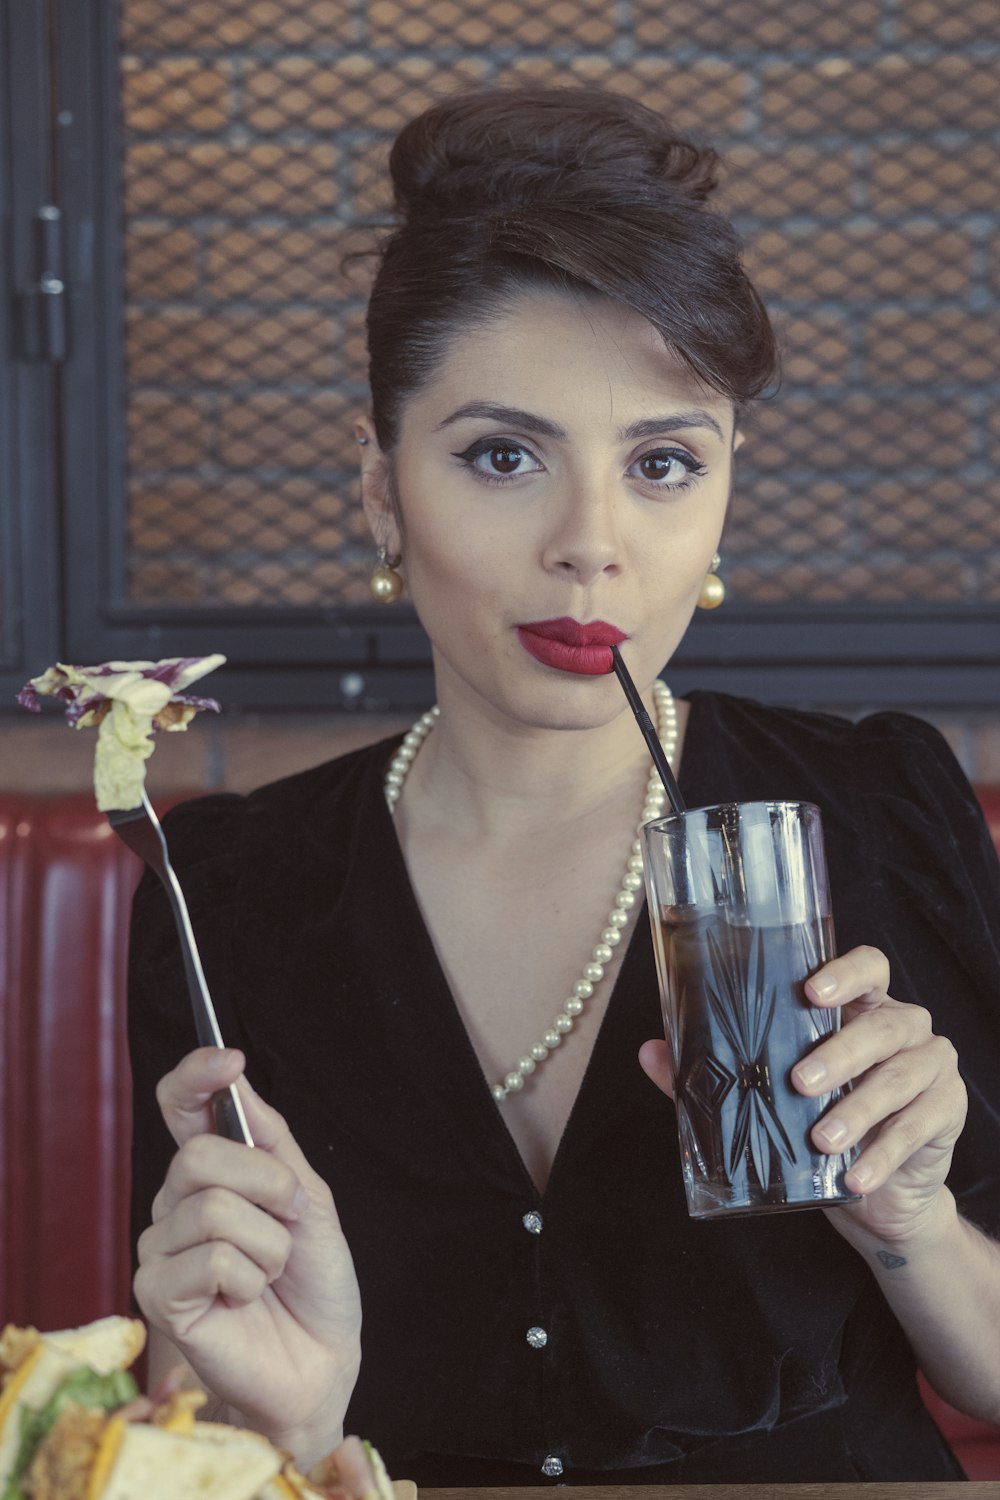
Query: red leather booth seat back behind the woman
65	1091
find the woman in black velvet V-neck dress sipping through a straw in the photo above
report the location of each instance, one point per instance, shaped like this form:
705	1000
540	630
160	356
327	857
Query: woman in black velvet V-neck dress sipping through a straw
563	346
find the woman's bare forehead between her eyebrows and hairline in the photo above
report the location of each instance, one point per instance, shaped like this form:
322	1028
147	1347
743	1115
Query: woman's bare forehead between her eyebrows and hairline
578	359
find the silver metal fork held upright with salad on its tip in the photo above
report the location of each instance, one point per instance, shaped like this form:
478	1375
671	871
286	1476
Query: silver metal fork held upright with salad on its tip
140	829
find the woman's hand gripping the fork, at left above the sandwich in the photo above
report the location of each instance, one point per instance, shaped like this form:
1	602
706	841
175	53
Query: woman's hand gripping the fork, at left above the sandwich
245	1267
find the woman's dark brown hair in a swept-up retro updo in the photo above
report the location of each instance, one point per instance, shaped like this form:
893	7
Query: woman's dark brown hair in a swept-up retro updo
510	191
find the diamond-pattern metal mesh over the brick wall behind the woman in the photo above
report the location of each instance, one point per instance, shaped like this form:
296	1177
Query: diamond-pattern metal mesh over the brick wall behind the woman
864	170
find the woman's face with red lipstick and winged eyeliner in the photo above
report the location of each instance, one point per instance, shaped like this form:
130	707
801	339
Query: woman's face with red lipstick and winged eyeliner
563	484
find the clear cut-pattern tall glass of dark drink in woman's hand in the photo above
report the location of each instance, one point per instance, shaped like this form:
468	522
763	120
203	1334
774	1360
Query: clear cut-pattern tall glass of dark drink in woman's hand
741	917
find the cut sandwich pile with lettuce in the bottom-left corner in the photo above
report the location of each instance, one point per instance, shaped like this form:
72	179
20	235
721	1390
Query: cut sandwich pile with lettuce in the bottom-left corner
74	1427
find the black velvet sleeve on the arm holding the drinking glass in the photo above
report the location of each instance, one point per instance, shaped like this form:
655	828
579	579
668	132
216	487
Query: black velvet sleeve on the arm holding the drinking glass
938	890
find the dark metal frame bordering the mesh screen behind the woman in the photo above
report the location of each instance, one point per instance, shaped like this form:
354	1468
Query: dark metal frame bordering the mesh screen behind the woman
370	658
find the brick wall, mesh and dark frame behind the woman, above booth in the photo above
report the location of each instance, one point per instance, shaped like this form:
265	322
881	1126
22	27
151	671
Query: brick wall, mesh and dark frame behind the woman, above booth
182	353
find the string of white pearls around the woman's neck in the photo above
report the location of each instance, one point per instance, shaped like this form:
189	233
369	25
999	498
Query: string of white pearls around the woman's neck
624	902
